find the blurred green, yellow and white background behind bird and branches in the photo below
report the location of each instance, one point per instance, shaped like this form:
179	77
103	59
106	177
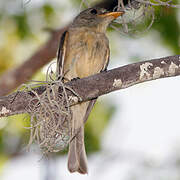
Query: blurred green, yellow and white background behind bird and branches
131	134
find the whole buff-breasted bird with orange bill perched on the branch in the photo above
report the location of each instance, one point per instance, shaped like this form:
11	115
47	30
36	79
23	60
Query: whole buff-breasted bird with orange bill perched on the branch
83	51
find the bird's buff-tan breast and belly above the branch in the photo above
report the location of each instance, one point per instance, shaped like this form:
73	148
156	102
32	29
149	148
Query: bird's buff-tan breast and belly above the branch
86	53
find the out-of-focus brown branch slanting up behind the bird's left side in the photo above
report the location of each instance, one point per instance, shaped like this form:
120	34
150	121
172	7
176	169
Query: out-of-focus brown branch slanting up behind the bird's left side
11	79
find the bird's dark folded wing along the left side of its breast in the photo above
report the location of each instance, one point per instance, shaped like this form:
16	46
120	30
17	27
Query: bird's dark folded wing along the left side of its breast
61	54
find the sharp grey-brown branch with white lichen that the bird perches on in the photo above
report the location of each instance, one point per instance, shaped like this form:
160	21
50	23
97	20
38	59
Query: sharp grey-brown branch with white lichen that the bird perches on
97	85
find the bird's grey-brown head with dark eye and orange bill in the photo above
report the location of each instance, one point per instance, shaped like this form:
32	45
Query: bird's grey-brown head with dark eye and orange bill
96	18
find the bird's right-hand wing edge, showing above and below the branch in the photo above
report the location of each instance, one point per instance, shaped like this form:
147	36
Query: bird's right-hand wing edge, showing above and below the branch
92	102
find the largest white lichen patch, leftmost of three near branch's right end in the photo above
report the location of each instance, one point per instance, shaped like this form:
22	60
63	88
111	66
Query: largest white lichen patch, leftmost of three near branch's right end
144	74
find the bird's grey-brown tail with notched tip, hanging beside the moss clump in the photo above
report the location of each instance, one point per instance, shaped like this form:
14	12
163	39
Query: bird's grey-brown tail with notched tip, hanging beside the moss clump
77	160
